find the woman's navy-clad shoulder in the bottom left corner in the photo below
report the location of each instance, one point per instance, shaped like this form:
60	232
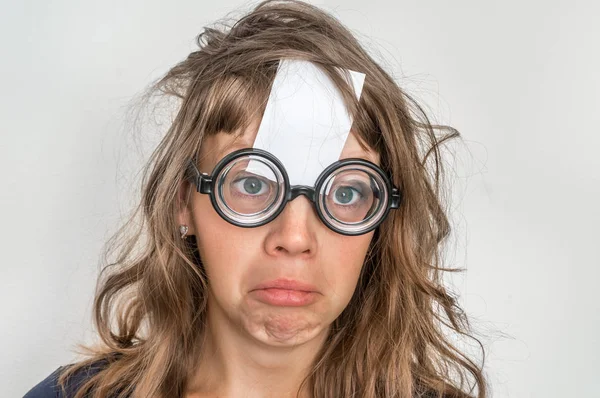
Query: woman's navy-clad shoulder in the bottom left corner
49	388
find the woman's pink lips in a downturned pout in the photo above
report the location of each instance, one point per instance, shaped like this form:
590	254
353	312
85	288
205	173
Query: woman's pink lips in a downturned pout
285	293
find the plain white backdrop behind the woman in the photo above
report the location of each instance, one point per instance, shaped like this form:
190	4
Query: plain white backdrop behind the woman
518	79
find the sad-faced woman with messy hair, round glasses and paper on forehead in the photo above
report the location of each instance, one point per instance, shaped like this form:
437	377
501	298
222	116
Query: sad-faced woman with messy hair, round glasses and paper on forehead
246	278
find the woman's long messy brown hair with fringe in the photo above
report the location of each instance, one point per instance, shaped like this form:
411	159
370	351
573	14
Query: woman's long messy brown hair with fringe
392	339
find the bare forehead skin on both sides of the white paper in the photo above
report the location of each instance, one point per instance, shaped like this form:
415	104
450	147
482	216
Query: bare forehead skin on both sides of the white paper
217	146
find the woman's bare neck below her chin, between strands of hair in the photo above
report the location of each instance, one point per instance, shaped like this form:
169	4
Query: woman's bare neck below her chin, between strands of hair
234	364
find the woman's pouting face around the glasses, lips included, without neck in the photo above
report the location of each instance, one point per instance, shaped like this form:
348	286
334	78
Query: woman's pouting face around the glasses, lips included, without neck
282	283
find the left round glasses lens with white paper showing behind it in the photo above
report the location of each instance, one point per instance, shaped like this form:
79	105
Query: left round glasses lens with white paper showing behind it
250	188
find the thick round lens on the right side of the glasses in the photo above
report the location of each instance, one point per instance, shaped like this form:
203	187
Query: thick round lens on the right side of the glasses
353	198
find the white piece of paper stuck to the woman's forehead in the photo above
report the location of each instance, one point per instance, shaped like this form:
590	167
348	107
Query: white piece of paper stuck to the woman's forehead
305	123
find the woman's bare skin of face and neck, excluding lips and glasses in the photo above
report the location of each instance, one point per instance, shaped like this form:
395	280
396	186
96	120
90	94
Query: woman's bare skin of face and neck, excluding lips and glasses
252	348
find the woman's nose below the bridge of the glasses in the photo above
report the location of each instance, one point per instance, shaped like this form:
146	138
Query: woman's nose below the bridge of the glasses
293	232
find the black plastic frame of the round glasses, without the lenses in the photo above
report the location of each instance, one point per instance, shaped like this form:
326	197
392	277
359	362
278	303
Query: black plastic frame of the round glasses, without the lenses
205	184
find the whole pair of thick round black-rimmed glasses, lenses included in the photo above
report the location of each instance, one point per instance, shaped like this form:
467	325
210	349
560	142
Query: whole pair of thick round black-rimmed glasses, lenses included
250	187
